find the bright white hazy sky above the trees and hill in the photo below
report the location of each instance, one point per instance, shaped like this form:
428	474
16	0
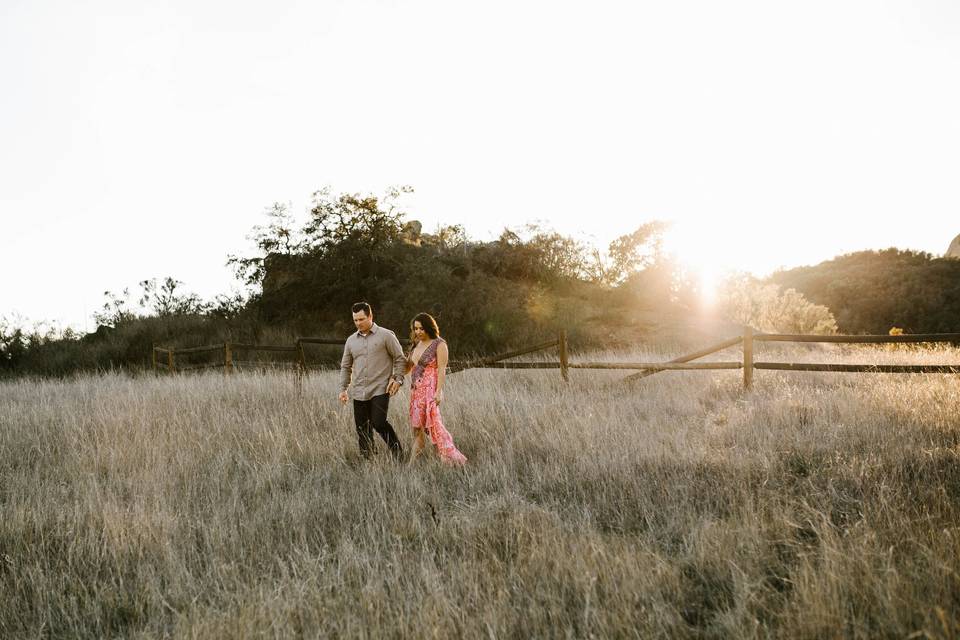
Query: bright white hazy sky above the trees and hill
144	139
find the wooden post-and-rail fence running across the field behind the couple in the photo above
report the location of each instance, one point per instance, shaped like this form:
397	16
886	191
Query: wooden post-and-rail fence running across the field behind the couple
164	358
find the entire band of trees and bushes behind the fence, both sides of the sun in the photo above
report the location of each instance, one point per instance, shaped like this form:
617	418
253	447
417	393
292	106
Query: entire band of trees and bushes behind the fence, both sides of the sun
304	272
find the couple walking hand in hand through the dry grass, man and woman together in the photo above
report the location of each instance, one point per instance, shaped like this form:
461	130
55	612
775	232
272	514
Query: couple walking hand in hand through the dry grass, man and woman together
373	368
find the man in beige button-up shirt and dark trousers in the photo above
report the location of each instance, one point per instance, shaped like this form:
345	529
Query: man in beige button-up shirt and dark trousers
374	356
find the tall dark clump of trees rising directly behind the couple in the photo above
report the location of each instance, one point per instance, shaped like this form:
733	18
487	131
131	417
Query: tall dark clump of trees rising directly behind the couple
487	296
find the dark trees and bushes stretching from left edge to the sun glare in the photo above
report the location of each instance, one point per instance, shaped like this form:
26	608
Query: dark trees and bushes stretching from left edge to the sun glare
487	296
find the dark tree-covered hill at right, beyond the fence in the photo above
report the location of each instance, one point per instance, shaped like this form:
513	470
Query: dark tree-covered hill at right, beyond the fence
872	291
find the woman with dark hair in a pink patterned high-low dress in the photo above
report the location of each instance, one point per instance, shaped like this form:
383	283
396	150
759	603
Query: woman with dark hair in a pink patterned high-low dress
428	362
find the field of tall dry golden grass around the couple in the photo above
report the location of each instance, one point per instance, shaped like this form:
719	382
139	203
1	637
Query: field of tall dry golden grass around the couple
815	505
